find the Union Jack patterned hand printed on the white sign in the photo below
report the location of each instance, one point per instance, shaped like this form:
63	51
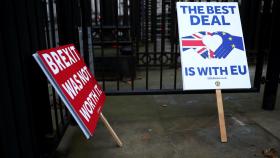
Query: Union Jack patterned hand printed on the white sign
195	42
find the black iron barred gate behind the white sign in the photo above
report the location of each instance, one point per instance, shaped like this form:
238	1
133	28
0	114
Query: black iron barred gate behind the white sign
134	40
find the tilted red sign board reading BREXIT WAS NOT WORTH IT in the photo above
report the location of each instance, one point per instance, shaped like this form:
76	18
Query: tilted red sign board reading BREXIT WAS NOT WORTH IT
73	81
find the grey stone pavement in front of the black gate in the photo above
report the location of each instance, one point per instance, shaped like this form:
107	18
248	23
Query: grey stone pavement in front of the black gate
179	126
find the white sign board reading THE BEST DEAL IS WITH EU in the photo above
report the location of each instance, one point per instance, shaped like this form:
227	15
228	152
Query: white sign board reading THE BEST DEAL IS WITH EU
213	54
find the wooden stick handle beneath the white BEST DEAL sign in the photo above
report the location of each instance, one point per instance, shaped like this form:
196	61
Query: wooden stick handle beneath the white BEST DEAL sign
220	107
